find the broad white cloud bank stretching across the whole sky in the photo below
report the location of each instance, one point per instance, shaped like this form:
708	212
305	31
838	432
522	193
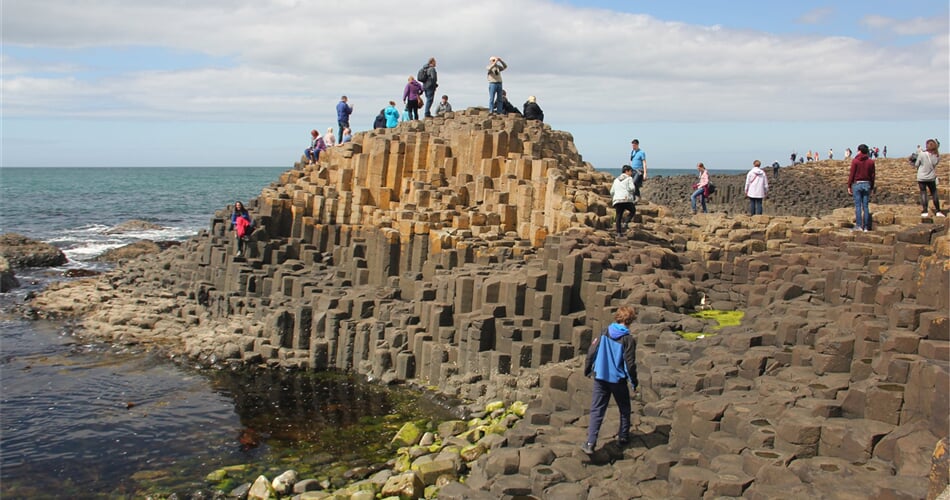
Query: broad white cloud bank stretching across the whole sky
293	59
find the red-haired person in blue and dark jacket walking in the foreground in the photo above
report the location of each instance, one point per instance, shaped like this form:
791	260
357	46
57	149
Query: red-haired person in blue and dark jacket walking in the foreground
612	358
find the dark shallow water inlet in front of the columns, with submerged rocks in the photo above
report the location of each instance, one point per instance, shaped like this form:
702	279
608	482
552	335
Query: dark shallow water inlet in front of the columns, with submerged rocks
83	420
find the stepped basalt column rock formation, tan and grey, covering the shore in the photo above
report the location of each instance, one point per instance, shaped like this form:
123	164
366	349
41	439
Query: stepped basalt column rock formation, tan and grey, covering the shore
476	253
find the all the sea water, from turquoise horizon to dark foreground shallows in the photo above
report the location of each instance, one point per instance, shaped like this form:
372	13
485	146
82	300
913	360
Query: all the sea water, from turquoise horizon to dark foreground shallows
86	419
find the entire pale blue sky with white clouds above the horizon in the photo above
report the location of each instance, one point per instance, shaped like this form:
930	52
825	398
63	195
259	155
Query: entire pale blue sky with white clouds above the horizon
241	83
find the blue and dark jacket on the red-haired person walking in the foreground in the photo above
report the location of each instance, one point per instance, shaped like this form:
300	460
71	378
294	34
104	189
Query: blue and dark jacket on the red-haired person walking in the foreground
612	357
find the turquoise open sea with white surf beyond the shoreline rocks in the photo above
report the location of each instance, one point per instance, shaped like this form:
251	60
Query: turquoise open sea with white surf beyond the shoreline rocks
72	207
